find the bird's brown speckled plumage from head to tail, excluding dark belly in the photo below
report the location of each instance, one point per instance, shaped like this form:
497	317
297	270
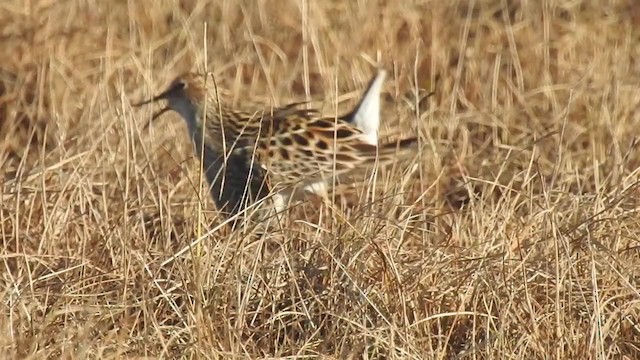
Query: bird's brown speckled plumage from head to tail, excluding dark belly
292	146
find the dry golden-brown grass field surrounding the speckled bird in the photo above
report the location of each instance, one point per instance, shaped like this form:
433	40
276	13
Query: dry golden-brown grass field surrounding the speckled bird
513	234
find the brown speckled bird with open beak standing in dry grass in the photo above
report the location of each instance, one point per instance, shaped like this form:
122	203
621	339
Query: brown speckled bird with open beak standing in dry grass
285	151
